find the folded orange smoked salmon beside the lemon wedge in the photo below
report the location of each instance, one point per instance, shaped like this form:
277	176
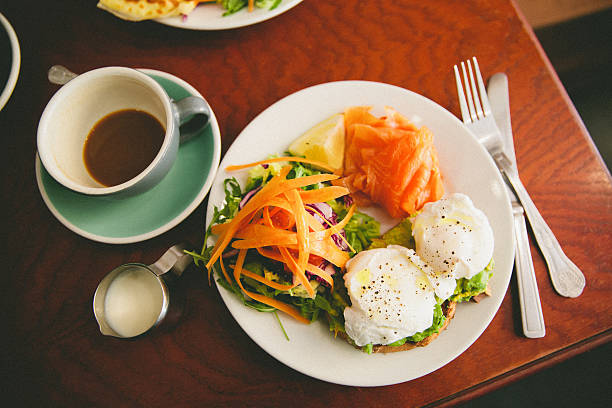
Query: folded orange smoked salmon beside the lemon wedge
389	161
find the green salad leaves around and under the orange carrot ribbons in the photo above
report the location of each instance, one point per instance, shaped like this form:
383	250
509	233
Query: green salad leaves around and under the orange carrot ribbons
360	230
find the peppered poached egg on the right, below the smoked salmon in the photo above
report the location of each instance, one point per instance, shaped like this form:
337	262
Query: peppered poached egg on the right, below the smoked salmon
454	238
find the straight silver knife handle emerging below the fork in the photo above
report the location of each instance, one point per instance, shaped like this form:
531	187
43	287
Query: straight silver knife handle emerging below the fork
529	298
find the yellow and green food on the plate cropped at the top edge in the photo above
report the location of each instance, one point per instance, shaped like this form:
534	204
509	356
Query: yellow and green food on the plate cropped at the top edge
138	10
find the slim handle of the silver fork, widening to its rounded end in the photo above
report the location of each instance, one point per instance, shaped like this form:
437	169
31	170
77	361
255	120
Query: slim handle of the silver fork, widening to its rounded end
566	278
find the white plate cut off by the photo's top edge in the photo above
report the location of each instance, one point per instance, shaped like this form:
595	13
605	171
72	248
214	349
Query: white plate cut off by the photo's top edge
210	17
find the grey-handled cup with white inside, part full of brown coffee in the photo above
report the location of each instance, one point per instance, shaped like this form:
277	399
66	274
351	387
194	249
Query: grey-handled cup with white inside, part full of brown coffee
115	131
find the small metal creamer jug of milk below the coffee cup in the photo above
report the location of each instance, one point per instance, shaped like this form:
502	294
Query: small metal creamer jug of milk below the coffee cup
135	298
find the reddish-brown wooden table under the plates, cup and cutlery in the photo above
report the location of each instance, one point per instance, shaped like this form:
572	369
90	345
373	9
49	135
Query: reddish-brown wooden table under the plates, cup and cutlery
52	352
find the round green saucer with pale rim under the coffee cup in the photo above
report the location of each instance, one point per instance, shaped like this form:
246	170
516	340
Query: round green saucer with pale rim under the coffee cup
134	219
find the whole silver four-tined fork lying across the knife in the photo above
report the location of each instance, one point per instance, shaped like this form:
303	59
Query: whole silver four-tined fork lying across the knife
566	278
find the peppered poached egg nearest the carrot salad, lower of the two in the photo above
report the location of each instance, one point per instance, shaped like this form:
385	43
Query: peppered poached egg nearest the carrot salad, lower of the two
391	295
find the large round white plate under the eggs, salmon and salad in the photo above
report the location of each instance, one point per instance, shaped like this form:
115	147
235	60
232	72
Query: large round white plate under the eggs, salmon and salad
466	167
